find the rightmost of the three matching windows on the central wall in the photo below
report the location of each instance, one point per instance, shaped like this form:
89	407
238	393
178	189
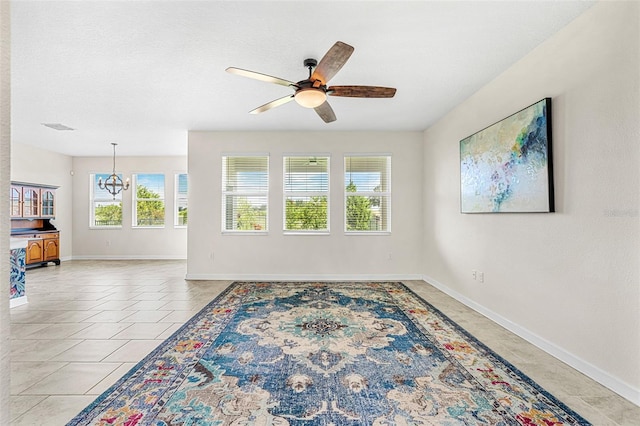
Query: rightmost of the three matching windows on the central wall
367	193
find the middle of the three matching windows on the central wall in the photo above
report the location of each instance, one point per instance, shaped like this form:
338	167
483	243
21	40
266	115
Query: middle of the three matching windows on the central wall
306	193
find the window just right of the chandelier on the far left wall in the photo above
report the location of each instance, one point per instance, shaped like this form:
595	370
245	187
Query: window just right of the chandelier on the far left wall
148	202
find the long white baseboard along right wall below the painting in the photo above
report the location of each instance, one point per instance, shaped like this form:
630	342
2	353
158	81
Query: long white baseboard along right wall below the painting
616	385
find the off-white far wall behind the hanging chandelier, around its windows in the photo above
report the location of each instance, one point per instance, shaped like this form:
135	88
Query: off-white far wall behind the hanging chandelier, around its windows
127	242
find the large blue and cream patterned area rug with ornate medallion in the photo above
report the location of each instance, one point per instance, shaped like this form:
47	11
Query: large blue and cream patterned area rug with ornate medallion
323	354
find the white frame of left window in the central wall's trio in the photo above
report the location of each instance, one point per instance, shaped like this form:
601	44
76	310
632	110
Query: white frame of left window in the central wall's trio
258	193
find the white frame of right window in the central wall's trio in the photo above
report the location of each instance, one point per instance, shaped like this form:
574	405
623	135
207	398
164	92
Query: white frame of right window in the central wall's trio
386	194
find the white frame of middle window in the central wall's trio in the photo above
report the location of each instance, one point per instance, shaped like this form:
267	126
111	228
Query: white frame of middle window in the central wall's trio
286	194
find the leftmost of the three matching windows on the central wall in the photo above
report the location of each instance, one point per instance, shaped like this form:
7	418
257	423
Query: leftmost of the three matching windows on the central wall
245	193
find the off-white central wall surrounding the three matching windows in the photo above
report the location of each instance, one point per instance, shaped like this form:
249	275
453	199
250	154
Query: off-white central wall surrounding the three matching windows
276	256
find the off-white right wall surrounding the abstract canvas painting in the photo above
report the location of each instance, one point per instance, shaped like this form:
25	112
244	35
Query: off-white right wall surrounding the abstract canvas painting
568	281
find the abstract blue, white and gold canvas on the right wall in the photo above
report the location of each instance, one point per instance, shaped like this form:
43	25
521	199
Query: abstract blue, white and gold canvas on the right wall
506	167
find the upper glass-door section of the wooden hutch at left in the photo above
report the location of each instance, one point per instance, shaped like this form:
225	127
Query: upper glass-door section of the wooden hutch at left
32	201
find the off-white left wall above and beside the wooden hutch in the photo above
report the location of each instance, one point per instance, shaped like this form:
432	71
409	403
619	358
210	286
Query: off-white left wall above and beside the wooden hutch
34	165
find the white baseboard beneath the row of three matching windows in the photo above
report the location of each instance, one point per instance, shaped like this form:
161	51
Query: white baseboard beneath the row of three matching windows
302	277
